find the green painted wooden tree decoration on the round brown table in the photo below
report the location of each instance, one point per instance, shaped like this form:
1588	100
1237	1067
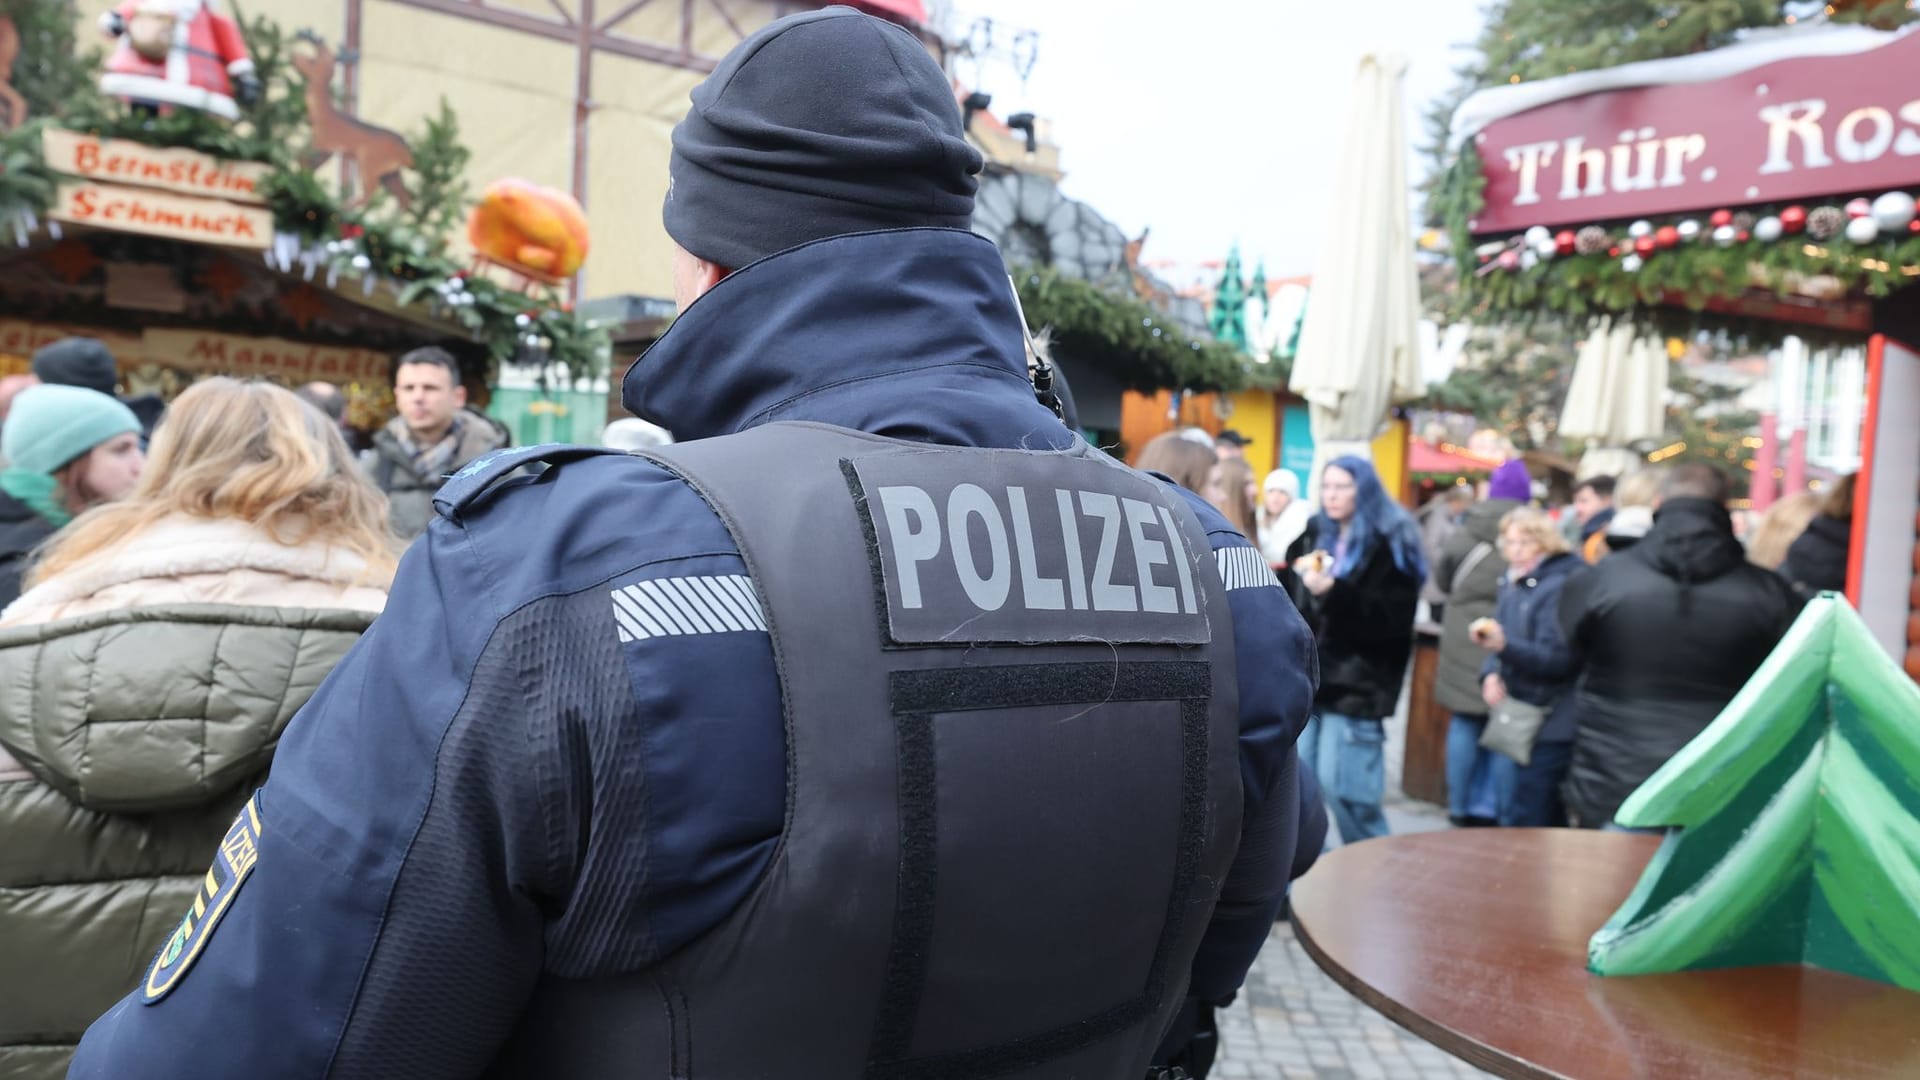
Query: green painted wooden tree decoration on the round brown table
1798	820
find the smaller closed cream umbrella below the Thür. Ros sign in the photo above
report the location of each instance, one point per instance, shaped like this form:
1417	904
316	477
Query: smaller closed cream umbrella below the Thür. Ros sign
1618	397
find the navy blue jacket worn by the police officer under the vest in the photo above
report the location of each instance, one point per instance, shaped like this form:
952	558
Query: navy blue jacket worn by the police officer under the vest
469	804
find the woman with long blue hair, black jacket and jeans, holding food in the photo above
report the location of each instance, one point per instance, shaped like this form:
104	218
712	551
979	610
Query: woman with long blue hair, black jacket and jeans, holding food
1360	576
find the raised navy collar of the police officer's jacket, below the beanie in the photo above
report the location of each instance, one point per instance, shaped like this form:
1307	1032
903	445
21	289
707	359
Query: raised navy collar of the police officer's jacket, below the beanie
907	333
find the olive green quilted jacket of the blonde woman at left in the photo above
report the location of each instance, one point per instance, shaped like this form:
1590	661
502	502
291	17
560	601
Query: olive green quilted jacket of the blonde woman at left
132	743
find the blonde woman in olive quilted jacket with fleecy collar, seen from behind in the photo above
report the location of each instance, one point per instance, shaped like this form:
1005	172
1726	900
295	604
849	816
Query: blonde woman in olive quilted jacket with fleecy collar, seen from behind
145	679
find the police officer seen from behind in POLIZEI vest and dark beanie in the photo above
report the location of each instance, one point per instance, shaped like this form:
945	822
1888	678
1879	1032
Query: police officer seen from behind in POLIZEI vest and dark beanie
886	729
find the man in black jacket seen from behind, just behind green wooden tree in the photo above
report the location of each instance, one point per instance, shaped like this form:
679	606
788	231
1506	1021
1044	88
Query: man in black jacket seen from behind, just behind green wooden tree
1671	629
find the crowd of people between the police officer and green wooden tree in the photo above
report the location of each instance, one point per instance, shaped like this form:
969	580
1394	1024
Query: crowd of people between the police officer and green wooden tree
1577	652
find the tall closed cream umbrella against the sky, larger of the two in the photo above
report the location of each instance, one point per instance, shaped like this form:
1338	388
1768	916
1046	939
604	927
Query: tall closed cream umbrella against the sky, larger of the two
1360	341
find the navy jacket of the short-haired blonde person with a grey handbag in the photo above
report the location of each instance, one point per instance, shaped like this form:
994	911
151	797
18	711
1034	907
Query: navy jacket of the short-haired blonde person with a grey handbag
1537	664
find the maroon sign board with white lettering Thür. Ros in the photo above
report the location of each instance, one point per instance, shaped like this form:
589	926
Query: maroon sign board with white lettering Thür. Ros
1794	130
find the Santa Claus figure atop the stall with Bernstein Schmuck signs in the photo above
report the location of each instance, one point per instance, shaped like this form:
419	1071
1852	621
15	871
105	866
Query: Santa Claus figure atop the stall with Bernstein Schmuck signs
178	53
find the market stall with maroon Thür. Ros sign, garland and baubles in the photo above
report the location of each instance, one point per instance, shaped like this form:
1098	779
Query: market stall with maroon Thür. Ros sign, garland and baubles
1767	191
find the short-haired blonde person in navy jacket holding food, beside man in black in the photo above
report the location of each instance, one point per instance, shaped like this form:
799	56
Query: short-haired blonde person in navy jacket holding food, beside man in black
1533	664
